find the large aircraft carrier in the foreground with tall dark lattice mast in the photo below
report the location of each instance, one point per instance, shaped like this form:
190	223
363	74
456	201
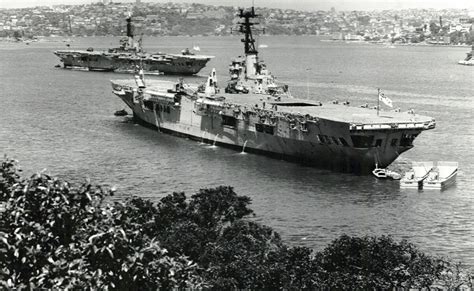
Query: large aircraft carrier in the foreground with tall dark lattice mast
258	114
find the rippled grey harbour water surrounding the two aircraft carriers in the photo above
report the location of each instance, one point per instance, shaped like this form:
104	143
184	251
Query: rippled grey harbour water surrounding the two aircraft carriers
63	120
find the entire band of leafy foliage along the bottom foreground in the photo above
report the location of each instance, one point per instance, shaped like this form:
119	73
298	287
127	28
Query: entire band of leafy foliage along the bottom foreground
54	235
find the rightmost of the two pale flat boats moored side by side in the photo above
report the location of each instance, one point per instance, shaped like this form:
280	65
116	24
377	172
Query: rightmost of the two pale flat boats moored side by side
442	176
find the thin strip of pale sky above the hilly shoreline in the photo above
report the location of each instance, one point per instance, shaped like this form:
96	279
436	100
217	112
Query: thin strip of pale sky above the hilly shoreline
292	4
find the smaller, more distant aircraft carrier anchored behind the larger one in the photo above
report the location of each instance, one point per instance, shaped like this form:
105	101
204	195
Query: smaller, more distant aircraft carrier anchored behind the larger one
129	55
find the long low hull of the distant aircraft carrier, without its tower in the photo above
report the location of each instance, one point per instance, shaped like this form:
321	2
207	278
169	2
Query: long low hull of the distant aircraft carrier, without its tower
166	64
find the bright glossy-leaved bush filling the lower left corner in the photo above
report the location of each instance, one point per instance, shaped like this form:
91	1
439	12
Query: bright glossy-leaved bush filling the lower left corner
54	235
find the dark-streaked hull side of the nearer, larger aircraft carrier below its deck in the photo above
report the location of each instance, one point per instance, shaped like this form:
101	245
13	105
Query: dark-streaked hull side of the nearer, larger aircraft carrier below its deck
284	142
